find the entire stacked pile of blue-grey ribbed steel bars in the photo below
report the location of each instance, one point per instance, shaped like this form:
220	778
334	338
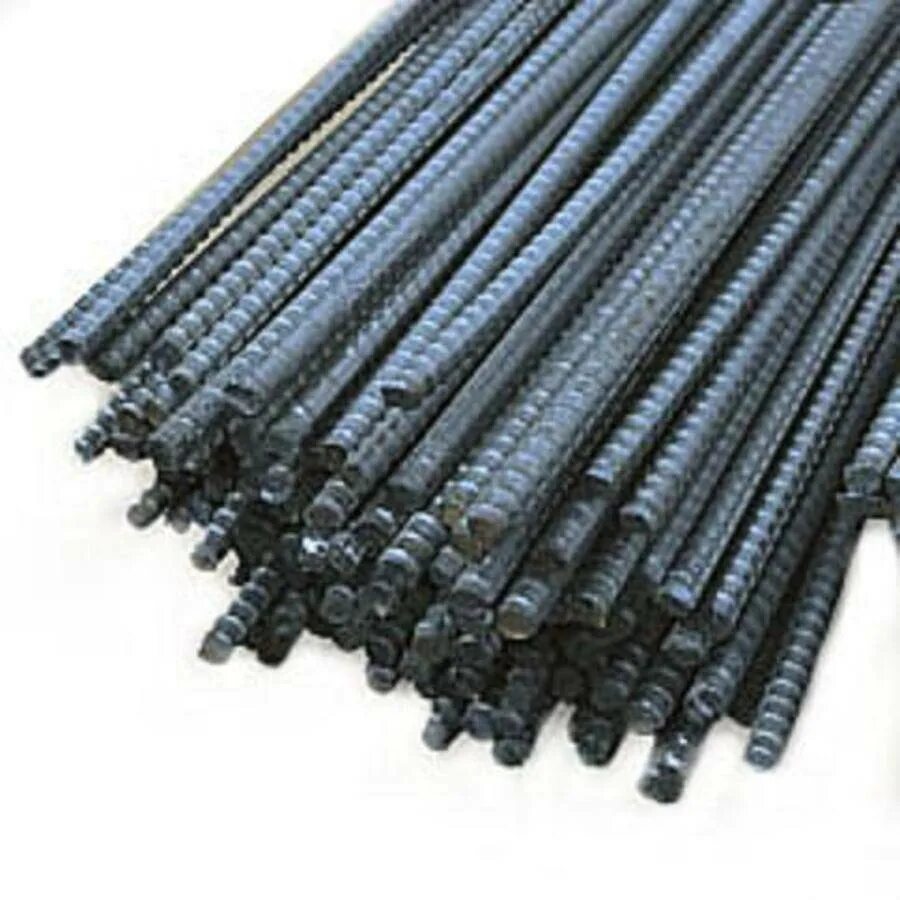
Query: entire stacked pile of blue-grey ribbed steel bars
546	350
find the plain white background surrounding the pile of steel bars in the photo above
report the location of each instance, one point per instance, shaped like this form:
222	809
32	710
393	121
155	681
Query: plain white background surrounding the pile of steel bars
127	767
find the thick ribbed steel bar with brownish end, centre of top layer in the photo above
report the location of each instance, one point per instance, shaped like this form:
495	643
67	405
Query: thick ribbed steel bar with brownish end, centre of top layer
627	332
